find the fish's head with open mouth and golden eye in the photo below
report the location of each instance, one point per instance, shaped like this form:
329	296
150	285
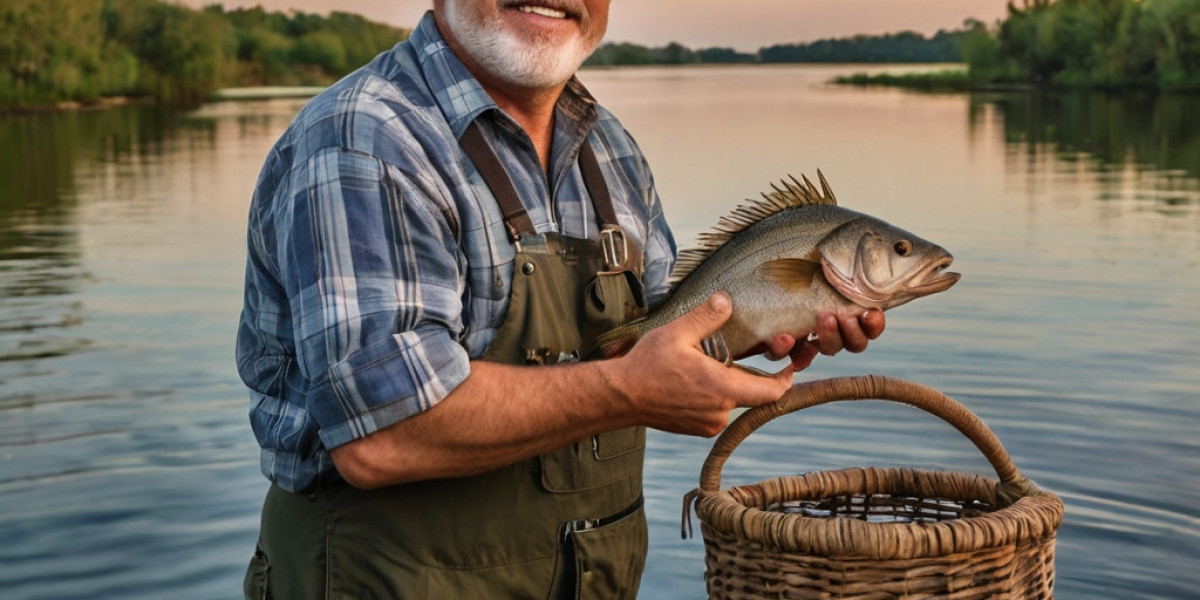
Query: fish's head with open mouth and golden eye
879	266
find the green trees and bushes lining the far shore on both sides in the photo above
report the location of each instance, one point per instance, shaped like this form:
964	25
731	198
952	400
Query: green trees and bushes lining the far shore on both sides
56	53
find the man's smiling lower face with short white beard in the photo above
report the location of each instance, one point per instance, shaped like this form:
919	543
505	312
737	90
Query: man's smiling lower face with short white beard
527	44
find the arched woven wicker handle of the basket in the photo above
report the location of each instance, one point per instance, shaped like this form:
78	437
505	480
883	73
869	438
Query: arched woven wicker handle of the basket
867	388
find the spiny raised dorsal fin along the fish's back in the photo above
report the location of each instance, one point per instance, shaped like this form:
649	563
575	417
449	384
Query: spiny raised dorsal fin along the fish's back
789	195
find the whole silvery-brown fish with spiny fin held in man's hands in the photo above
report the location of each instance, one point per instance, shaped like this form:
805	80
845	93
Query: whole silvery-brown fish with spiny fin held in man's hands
787	259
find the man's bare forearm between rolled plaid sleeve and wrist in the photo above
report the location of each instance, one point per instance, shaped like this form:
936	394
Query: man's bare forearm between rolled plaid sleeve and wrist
499	416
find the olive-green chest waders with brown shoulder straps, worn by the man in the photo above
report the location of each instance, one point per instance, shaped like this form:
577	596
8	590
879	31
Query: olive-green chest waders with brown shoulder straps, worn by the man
566	525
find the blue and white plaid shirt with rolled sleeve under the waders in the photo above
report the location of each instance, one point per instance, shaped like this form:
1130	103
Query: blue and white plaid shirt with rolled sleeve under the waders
379	262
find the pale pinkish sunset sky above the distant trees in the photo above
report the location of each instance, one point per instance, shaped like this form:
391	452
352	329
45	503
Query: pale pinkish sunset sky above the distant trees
743	25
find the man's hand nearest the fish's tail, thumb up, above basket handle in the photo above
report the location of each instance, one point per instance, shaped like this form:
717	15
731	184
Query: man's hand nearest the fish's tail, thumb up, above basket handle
671	385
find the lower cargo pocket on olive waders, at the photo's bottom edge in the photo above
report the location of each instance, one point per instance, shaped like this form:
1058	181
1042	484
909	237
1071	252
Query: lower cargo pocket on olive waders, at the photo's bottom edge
609	560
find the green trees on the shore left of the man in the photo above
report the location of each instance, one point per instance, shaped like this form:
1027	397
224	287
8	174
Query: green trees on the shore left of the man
82	51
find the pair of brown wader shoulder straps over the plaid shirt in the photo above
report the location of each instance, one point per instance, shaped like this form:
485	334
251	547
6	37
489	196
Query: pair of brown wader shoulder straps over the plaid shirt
497	179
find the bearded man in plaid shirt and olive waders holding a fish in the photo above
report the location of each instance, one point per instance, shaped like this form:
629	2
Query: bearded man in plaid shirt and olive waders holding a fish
431	243
